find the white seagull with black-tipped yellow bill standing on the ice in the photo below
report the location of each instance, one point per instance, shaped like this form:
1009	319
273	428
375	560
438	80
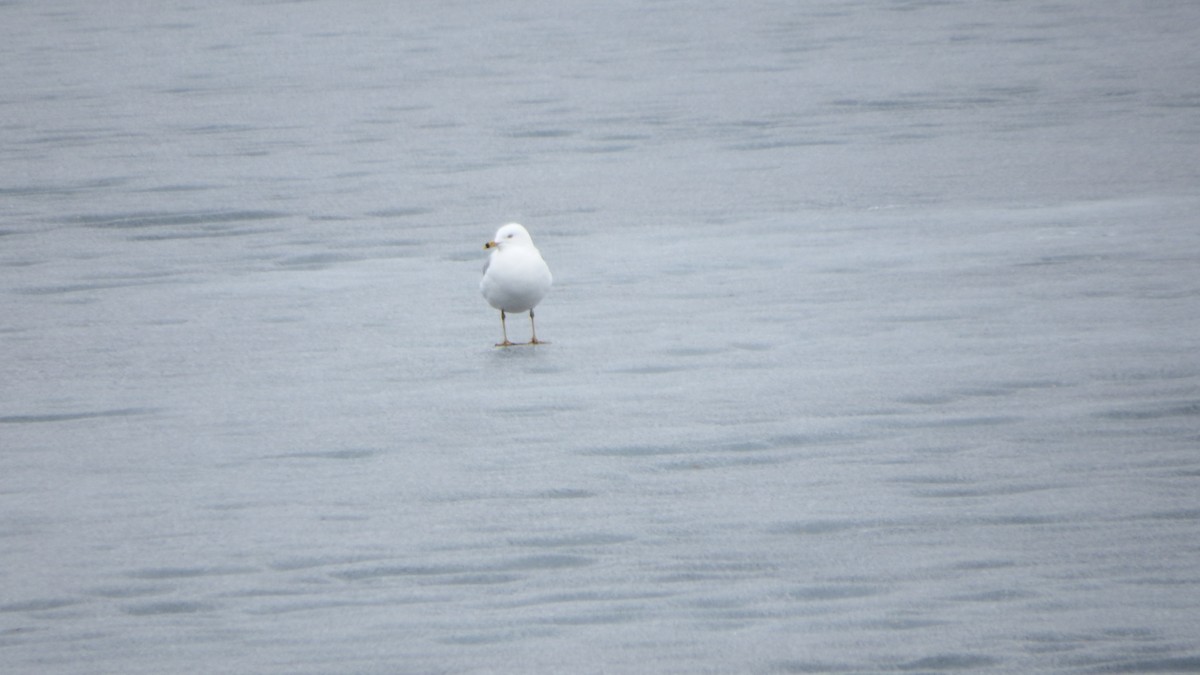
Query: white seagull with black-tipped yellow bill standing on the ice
515	277
